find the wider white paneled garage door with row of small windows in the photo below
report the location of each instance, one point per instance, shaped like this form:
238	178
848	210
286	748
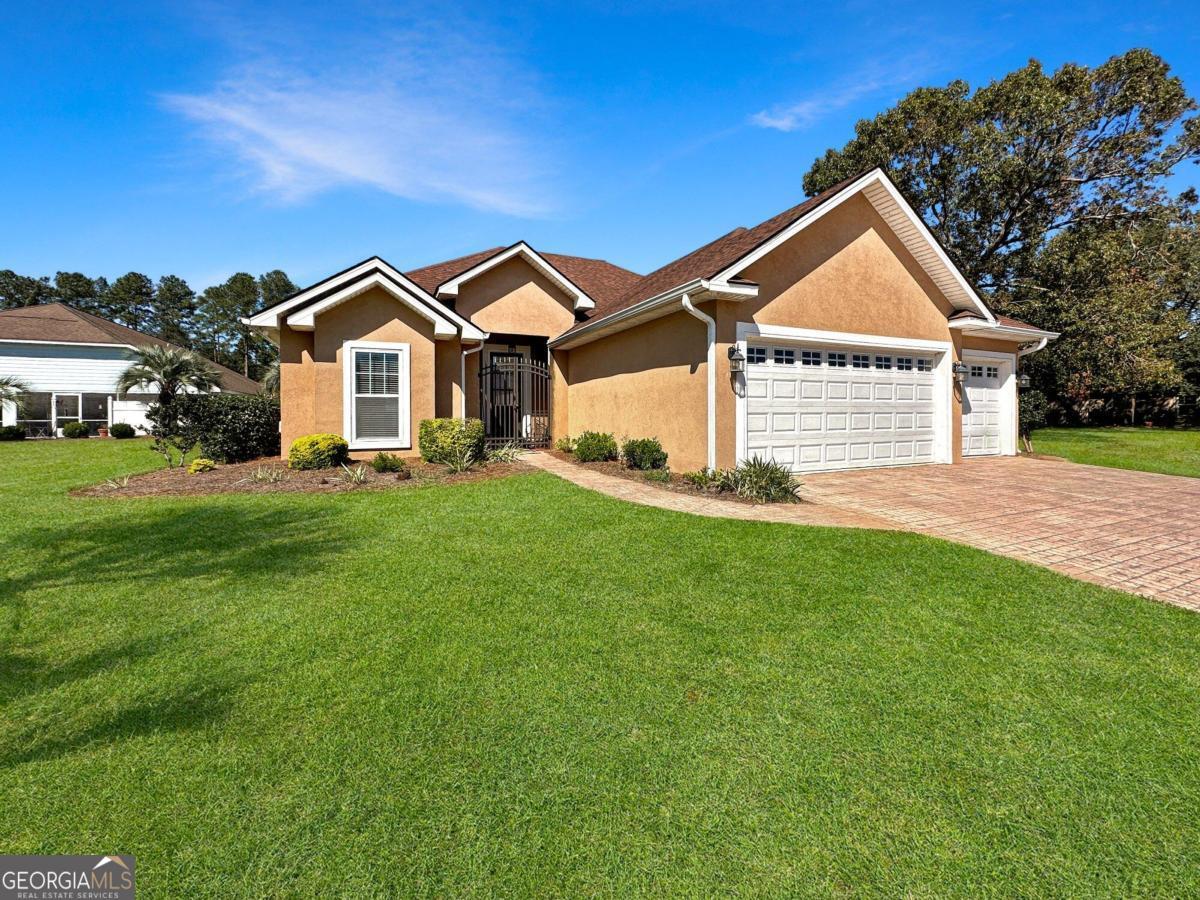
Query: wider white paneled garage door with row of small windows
819	409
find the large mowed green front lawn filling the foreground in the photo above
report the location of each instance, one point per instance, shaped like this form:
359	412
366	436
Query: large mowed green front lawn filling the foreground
521	688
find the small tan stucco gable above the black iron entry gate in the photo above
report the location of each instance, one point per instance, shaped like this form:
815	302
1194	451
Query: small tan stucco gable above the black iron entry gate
515	298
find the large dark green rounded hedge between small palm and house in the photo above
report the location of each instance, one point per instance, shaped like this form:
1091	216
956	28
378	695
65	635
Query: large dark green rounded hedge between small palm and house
230	428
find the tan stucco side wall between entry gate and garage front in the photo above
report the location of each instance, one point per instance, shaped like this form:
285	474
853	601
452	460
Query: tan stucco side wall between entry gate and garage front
646	382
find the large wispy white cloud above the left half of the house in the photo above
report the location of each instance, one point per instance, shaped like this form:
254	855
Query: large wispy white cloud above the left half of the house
416	111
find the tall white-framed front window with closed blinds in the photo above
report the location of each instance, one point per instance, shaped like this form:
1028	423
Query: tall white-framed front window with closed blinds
379	401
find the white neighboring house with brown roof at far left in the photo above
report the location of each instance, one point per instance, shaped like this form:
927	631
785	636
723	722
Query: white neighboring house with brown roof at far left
71	362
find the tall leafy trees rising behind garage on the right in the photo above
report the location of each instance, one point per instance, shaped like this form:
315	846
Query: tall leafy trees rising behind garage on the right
1051	194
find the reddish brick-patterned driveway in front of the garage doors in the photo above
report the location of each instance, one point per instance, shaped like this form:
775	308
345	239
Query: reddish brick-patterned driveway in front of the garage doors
1132	531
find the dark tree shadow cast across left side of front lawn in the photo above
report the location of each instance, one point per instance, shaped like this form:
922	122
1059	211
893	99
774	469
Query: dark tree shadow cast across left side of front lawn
121	566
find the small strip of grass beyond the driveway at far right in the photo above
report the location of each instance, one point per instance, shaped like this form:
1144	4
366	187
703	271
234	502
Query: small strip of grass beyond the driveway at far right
1165	451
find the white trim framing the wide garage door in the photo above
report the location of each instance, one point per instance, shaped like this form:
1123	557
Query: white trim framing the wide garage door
944	395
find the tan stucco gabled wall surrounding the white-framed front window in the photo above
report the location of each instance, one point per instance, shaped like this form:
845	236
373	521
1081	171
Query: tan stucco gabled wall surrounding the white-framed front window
311	382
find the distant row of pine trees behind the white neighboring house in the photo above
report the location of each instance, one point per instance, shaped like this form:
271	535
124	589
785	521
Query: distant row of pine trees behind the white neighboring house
208	322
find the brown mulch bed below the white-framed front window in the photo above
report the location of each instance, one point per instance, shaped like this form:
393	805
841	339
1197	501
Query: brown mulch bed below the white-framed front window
238	478
